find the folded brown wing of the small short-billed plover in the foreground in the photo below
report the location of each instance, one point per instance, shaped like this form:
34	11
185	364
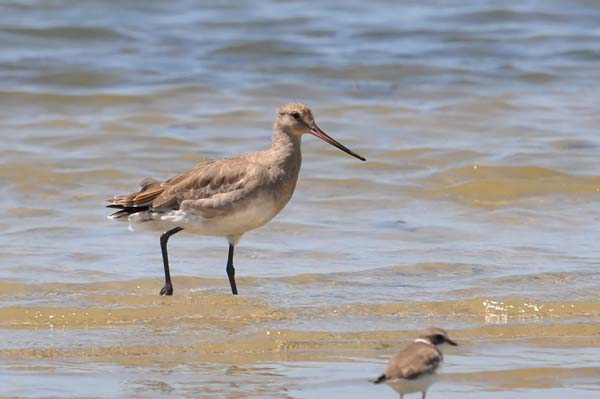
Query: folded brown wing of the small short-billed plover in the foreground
415	360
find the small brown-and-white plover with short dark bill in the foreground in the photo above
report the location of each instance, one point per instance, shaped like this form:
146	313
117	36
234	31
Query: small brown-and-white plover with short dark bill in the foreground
415	367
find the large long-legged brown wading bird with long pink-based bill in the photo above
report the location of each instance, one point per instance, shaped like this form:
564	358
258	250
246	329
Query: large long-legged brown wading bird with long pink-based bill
225	197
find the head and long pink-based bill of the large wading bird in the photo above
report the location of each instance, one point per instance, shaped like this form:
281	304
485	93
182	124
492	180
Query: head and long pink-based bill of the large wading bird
297	119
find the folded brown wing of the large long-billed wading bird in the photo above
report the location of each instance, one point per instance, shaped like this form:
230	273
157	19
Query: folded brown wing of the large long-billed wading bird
209	188
